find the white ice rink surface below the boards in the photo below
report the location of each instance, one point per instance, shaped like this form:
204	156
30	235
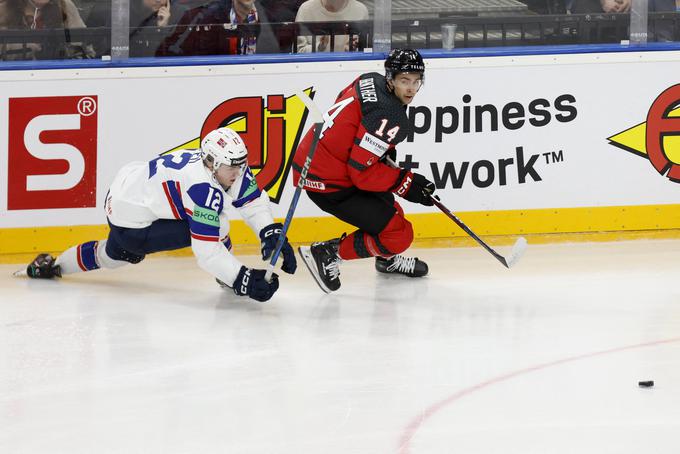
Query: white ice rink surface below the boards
544	358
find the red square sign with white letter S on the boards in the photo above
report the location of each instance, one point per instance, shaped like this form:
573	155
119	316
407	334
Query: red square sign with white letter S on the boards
52	152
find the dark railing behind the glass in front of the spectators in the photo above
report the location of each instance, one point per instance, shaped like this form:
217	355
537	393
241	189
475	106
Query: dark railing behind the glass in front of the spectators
217	39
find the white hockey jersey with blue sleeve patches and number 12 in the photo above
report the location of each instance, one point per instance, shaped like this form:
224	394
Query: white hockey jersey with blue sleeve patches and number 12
178	186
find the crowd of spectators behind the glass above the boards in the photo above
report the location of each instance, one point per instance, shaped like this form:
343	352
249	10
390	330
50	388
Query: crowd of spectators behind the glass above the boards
85	29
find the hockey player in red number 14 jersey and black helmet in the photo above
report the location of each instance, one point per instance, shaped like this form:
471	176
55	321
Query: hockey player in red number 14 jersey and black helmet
354	174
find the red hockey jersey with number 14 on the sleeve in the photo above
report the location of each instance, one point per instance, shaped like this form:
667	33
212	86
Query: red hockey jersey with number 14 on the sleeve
366	122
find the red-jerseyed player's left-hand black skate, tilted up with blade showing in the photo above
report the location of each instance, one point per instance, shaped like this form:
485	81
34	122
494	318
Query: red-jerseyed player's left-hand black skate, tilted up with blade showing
323	262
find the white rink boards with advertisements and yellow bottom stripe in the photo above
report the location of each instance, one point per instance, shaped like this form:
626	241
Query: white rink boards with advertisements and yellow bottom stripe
551	144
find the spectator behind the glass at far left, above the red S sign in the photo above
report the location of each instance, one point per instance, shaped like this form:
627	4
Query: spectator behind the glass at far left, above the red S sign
46	15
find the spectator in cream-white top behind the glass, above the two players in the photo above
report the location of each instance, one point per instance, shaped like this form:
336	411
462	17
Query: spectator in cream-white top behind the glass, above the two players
329	11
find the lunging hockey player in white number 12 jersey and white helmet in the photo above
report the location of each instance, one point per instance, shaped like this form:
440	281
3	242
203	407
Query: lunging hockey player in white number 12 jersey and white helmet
178	200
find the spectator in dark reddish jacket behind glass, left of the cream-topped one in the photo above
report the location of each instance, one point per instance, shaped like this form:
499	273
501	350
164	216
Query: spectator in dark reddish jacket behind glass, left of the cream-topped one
212	38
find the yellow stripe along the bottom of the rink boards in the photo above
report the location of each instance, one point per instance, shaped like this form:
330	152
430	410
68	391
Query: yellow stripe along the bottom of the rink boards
432	229
